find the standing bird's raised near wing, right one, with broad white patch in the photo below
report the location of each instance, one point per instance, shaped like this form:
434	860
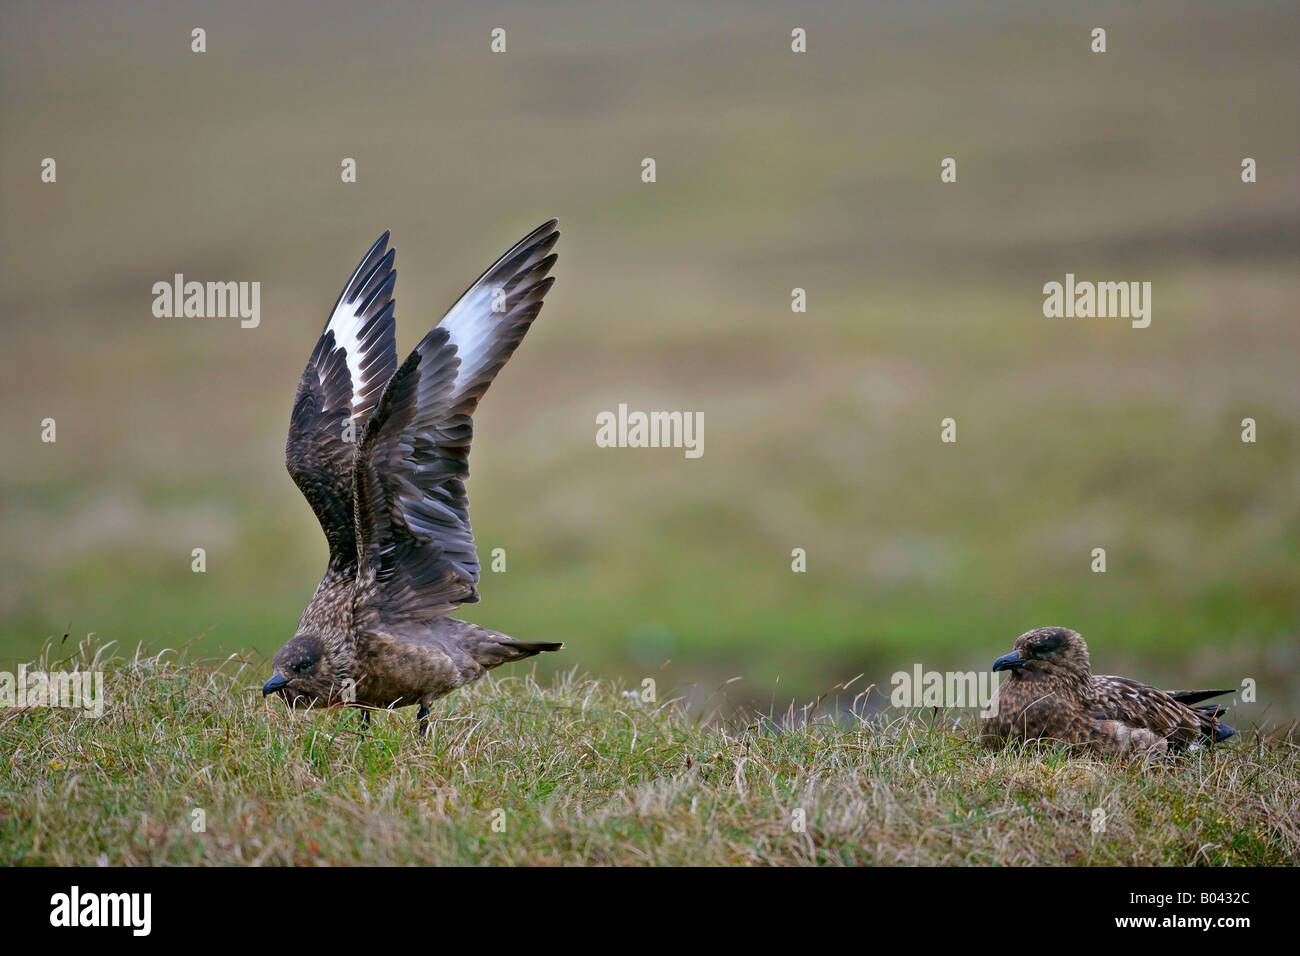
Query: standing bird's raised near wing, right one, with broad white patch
417	550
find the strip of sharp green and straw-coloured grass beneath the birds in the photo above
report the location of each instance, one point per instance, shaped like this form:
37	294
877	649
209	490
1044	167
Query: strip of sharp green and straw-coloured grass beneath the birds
579	772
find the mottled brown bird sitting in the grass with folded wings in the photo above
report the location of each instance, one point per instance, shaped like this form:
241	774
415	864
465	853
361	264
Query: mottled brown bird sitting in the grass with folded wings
1051	694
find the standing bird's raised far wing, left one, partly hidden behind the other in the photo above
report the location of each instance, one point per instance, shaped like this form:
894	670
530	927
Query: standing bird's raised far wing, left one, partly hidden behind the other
345	377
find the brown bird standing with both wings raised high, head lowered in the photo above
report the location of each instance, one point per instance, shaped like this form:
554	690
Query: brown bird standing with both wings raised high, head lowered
382	455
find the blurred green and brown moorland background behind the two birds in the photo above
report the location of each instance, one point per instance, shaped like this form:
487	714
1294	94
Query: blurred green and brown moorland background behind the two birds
775	171
